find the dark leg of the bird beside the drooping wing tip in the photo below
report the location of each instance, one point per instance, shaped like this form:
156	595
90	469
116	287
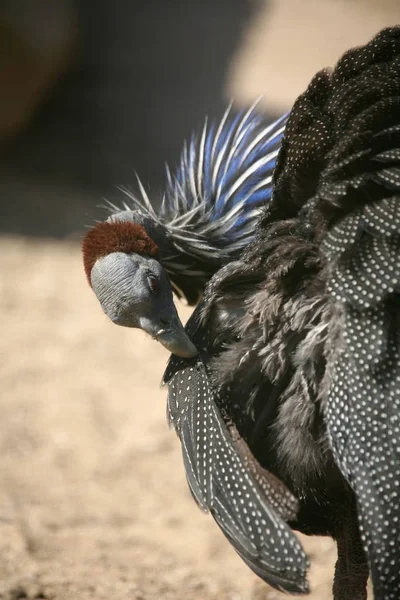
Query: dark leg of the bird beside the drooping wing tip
351	571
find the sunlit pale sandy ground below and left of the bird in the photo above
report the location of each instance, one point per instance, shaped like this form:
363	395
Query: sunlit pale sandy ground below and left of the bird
93	500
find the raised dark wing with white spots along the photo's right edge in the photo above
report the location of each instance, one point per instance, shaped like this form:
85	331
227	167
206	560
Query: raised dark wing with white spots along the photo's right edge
362	190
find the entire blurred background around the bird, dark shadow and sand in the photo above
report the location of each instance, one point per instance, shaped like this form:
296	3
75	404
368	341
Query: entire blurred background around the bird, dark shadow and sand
93	502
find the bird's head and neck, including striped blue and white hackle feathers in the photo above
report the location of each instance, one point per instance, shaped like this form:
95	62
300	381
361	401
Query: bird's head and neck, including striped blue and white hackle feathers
139	258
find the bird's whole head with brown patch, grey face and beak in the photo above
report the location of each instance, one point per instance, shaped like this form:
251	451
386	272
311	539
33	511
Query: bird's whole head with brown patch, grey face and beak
122	266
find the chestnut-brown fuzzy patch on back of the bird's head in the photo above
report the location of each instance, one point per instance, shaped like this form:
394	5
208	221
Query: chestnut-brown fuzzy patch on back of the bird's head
105	238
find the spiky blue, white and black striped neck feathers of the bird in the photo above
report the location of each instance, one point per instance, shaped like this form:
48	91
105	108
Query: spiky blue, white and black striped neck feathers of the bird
213	200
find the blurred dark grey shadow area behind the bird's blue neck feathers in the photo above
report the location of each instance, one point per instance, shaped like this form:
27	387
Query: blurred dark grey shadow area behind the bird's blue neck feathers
147	73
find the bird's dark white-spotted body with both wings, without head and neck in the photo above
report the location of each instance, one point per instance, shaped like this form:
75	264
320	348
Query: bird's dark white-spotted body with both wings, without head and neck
289	413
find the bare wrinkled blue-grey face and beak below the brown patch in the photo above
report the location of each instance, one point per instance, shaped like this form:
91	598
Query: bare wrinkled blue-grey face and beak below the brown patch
134	291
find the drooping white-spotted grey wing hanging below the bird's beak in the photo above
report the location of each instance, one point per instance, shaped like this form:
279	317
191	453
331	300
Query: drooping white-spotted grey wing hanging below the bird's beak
248	503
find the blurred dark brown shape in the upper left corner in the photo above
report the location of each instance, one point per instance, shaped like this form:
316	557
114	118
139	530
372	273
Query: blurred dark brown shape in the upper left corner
37	44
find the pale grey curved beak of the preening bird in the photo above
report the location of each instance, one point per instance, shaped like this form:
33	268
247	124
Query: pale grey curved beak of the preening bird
170	332
